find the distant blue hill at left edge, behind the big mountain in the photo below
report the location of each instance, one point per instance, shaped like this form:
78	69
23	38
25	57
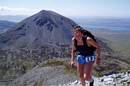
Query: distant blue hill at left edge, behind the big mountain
5	25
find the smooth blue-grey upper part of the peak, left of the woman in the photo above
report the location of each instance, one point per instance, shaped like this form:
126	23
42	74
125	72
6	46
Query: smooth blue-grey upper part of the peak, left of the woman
45	27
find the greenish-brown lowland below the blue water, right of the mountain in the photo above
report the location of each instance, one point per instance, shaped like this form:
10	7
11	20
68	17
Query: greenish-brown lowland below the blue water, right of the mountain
118	41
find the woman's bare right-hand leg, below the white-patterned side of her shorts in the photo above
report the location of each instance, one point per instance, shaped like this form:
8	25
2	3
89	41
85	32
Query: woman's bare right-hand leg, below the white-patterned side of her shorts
88	71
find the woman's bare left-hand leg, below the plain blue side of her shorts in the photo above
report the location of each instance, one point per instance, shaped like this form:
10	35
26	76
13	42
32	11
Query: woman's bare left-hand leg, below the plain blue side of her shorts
80	70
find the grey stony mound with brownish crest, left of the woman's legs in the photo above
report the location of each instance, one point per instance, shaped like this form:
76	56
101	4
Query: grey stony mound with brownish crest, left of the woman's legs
46	74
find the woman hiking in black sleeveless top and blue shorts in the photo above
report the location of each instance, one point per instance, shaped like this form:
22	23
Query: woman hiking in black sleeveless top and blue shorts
85	59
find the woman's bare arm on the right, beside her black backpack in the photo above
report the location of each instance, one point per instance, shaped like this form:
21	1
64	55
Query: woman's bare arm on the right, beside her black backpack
91	42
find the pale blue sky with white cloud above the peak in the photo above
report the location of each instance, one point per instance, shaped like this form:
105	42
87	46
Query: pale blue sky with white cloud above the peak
103	8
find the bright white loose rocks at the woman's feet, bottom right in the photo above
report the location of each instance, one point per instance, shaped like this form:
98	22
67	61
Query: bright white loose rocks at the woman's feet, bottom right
121	79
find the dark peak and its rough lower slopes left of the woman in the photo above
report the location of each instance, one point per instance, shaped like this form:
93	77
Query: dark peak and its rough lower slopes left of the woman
39	37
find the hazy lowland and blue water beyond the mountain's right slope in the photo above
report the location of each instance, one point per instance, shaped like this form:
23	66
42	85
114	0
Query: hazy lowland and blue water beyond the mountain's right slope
115	30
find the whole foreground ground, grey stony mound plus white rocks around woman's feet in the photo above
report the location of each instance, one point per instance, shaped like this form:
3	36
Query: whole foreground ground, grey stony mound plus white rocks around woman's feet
58	73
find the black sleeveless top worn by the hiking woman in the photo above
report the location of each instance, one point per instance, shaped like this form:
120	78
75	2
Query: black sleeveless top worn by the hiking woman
84	49
